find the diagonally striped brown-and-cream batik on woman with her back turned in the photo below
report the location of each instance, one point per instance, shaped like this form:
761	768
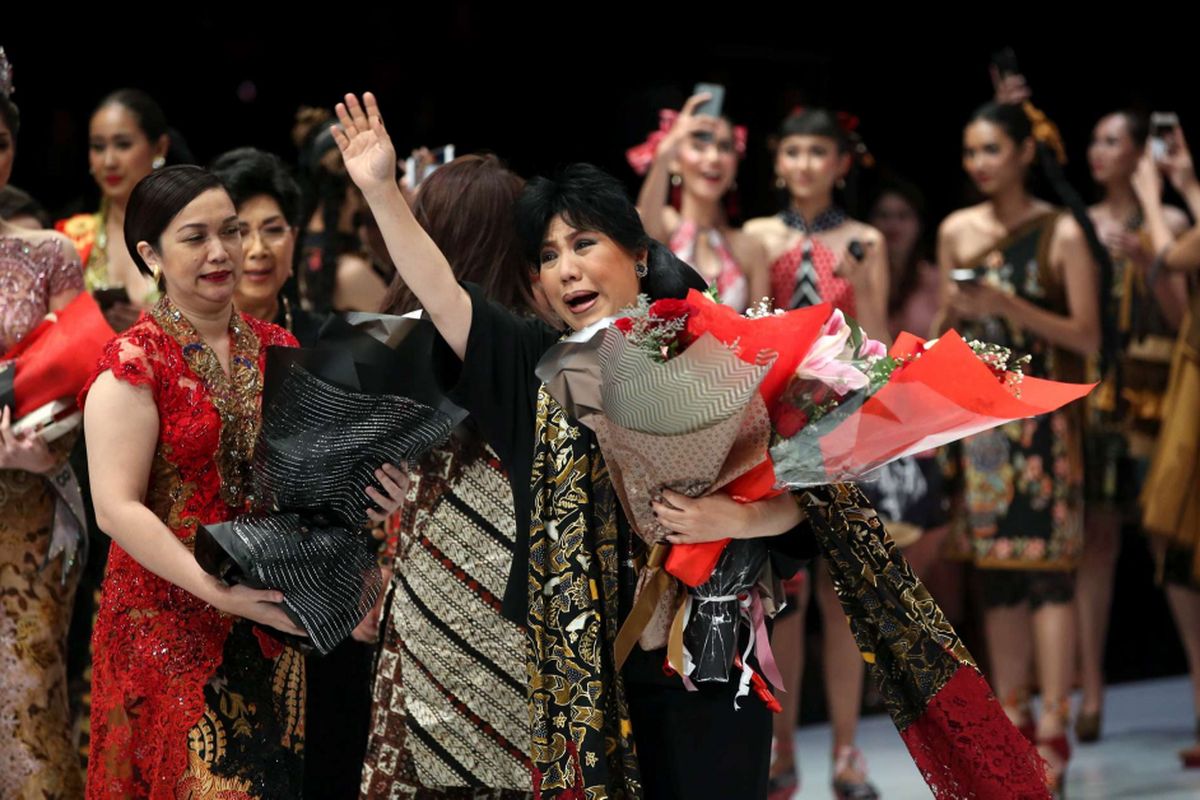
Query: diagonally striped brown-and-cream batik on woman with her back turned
449	719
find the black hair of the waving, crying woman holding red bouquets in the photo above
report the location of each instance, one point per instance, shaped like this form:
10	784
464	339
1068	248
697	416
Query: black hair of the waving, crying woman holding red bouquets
587	199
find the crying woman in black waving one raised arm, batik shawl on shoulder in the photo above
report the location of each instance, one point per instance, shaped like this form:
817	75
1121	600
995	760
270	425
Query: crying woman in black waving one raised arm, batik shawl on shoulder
574	567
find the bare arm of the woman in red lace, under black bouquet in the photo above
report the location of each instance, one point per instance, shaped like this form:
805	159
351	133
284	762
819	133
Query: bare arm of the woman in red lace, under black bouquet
122	425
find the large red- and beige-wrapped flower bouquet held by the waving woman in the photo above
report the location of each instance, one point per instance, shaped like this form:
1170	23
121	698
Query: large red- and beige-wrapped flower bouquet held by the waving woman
692	396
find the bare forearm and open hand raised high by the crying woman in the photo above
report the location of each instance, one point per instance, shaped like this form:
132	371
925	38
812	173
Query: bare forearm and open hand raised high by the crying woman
371	164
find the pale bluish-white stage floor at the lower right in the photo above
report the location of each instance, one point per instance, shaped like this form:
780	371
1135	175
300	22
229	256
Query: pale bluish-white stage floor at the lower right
1145	725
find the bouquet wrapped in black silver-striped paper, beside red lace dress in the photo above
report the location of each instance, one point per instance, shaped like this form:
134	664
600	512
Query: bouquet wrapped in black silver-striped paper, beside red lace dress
332	417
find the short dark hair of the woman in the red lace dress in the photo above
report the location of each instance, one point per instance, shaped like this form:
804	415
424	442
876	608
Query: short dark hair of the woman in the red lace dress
155	202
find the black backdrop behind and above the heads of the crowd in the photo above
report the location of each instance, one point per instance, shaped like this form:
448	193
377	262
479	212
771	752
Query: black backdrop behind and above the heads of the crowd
573	83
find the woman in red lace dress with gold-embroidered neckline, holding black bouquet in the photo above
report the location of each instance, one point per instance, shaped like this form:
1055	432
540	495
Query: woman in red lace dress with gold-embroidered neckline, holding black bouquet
193	694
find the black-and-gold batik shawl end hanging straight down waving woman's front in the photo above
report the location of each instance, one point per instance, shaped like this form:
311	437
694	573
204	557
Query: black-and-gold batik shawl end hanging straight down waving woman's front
583	737
